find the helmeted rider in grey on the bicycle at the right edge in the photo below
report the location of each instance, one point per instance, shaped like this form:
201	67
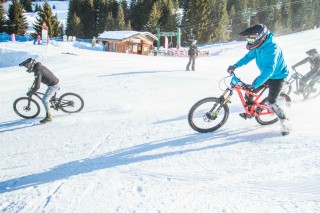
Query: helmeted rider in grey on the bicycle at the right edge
314	73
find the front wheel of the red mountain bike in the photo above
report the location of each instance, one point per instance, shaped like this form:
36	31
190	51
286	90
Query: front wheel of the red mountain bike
201	121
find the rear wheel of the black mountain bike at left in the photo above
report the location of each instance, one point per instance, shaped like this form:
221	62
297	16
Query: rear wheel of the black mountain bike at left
71	103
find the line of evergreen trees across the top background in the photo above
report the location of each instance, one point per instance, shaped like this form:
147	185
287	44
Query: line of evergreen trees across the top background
204	20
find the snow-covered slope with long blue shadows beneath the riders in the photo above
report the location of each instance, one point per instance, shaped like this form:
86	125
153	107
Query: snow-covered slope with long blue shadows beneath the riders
131	148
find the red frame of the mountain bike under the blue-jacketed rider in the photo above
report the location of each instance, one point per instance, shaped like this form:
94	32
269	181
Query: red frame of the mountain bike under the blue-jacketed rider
238	86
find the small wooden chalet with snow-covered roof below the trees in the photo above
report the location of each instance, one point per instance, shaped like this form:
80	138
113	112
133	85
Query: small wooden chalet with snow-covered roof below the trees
131	42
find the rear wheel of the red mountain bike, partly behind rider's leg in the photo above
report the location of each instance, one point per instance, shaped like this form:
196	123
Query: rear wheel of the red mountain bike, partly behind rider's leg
283	101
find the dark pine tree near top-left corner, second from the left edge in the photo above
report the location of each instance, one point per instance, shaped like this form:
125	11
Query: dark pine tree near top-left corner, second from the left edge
17	22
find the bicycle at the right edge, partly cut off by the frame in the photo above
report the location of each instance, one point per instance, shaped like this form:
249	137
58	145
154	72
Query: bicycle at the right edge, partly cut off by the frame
311	89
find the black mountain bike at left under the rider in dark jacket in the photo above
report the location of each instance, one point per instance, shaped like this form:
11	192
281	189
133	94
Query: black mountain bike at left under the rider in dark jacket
27	107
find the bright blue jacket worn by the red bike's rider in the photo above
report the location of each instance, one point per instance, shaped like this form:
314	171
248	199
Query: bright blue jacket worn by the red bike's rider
269	59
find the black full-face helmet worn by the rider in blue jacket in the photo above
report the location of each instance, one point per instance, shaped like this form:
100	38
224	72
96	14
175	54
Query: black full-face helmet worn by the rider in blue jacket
256	35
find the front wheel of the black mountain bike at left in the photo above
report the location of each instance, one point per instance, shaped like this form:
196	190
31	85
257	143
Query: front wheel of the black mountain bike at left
20	106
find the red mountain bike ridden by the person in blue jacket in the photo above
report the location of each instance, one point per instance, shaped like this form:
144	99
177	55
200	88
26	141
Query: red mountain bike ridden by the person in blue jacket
209	114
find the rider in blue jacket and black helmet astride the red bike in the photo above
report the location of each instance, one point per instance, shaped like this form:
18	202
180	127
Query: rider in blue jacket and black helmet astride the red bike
273	68
